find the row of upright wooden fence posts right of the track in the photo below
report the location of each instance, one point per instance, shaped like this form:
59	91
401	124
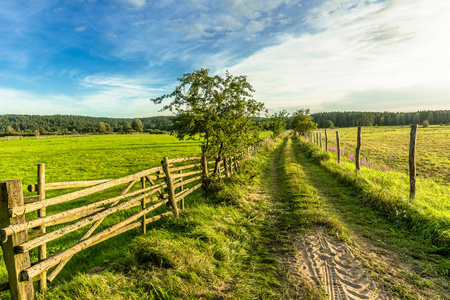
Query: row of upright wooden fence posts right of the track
316	138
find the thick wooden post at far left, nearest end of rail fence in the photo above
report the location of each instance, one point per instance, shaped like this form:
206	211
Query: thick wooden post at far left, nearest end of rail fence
11	195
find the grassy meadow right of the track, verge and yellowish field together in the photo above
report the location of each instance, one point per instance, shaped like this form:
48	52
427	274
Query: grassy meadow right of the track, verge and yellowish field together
388	190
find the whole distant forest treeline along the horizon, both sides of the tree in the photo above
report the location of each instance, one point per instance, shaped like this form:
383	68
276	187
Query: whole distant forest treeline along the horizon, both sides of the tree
70	124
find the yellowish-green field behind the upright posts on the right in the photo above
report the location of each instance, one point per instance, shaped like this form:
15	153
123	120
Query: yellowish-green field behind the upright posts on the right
433	148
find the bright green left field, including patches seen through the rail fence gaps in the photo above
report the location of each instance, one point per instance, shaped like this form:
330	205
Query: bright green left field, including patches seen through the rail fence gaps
86	158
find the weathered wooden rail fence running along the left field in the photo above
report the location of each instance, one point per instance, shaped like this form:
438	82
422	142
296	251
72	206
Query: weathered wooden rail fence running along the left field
25	224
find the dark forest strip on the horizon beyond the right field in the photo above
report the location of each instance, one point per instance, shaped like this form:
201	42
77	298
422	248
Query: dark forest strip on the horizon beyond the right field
355	118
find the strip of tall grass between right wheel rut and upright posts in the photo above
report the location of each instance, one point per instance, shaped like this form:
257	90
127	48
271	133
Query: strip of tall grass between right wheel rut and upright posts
428	215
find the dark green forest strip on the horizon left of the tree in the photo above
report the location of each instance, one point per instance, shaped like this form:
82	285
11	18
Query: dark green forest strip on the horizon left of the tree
69	124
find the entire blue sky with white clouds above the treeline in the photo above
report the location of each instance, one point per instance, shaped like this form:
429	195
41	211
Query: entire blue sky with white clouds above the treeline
108	58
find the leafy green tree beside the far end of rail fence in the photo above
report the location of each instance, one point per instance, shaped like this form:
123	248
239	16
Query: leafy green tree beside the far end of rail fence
217	111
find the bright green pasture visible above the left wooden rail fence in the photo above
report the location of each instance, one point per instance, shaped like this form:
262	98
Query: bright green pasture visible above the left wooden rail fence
89	157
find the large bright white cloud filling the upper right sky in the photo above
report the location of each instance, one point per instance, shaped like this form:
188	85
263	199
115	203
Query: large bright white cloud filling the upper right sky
361	46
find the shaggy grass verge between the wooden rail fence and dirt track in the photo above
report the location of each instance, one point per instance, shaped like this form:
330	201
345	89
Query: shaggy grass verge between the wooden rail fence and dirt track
217	249
